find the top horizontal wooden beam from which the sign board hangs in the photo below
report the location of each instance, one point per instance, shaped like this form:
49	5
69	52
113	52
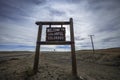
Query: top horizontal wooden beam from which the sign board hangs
53	23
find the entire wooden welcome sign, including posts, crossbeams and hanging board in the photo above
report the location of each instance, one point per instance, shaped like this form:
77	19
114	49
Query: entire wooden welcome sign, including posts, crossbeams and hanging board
53	35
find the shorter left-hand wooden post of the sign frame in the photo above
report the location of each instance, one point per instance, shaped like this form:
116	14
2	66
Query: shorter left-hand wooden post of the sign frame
37	52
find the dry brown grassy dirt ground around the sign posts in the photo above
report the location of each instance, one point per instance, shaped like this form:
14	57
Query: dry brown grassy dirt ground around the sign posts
103	65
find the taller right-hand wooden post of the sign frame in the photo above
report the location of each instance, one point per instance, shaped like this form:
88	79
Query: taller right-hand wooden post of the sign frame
74	66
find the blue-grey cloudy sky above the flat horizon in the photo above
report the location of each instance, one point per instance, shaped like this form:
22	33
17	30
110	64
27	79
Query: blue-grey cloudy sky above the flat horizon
100	18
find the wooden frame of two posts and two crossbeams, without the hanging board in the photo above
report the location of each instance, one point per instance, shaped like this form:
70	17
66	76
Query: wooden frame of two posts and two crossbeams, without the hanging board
71	42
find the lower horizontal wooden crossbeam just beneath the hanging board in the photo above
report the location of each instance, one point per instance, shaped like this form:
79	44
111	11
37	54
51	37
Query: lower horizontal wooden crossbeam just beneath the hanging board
54	42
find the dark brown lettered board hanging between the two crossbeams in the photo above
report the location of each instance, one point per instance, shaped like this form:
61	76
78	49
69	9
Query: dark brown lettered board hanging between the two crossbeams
55	34
